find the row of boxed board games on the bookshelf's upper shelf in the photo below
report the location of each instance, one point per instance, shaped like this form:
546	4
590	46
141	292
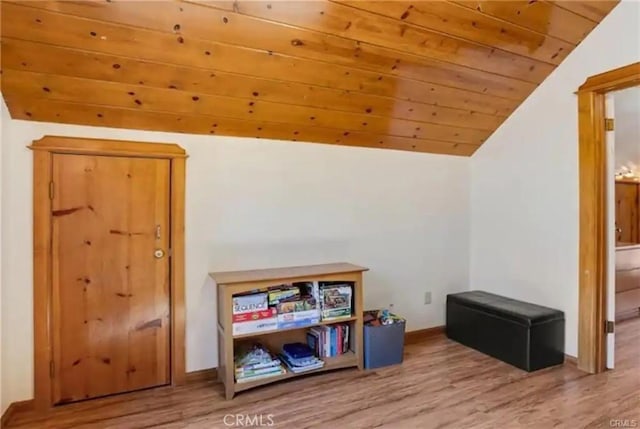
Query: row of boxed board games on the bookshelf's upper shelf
293	305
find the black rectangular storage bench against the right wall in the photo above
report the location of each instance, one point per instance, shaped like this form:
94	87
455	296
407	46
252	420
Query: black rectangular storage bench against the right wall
525	335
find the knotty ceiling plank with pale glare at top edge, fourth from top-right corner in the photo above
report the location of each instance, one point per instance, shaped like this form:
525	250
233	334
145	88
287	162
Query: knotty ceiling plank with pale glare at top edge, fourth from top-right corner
371	28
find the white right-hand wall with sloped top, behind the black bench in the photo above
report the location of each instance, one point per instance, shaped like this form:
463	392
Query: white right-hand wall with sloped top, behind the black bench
524	180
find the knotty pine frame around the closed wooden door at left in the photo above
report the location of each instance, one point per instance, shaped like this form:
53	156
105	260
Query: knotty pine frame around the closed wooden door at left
43	151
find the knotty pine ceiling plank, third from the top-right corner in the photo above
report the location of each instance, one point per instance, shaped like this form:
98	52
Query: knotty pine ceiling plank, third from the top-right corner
470	24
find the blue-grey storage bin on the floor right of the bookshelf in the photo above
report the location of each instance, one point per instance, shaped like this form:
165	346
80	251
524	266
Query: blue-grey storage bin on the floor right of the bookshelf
383	345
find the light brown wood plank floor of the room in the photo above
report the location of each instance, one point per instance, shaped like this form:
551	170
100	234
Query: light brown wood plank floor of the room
441	384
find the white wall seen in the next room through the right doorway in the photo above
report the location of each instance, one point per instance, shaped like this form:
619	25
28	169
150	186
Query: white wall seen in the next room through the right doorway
627	128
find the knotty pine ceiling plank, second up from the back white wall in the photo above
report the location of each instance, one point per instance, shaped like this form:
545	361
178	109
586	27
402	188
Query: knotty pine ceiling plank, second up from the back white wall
155	99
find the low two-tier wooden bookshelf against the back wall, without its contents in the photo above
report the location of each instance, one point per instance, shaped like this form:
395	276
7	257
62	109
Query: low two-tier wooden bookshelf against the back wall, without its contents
232	283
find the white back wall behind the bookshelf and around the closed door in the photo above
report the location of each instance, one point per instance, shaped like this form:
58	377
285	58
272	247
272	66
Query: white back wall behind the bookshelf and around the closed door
256	203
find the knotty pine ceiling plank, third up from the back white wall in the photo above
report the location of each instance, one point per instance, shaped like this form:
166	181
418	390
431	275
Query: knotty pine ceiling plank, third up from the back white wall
29	56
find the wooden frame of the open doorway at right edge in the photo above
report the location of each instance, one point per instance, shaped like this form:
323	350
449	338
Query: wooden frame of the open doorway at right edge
593	212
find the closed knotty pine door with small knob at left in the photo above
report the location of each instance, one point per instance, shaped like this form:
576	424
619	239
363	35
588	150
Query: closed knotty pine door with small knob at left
110	309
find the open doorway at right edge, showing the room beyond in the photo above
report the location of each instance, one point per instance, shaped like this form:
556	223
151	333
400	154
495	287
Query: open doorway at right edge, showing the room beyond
623	206
